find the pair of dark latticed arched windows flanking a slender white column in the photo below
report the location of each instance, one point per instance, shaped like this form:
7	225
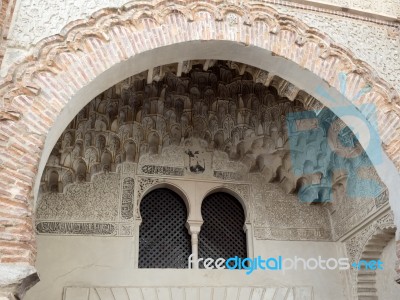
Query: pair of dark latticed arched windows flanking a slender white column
165	242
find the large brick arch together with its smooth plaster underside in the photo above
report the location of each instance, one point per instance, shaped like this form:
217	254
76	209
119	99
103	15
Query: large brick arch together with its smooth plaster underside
43	93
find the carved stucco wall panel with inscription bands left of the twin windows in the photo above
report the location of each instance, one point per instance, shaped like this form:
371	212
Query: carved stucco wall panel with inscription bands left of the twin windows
102	207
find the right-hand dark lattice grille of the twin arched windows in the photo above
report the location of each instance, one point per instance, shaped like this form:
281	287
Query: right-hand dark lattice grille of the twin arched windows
222	233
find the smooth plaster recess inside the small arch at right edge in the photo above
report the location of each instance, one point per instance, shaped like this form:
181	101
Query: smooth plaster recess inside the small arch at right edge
386	286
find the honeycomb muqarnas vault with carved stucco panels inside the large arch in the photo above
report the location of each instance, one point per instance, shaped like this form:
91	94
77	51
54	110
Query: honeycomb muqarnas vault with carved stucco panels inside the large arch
214	124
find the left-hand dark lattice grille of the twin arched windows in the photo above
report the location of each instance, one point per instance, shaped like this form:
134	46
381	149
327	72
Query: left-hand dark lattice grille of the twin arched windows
164	240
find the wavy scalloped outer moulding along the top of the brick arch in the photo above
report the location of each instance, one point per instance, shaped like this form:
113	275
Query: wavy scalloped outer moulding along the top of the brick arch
50	53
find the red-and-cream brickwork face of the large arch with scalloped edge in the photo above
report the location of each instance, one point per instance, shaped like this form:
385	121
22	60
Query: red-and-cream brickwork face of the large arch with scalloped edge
36	90
